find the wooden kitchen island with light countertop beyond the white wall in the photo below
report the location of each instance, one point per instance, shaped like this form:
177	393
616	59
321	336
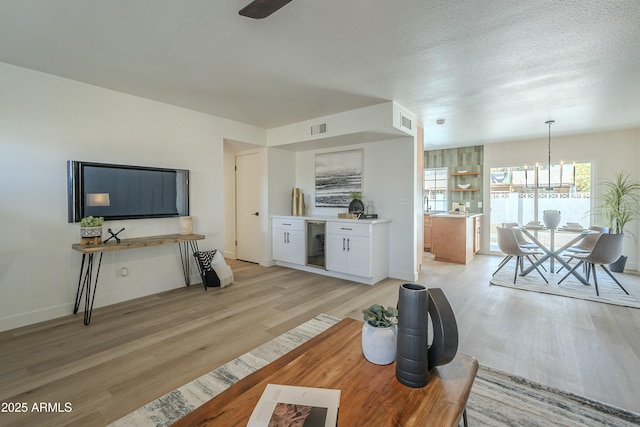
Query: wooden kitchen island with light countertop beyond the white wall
455	237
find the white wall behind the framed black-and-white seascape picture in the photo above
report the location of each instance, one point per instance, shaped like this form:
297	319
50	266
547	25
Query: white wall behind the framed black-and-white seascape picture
388	181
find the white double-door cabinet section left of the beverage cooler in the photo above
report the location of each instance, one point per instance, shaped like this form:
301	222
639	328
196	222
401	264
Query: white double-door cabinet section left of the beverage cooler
289	240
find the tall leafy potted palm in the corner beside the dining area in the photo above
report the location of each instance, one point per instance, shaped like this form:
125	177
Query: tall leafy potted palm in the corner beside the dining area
620	205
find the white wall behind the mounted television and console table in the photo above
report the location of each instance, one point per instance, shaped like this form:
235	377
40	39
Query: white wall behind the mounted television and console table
47	120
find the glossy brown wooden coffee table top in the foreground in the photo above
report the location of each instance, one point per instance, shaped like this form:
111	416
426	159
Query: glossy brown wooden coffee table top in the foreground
370	394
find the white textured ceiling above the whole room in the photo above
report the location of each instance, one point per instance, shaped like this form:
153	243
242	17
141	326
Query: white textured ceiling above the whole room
494	70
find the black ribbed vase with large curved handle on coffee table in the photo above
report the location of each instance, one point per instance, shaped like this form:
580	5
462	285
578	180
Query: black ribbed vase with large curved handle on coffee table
414	357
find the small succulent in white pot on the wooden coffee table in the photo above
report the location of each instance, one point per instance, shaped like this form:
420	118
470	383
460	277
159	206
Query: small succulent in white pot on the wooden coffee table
379	334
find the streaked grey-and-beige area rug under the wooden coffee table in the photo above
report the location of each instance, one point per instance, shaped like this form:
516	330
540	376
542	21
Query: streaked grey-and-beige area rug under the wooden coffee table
497	399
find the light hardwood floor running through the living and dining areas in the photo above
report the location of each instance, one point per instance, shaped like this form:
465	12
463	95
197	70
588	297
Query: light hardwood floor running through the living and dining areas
138	350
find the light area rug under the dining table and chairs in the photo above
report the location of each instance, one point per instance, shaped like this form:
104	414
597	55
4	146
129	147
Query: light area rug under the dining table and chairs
610	293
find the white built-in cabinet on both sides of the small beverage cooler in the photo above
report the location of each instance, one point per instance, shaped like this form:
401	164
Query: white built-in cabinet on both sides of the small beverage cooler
356	250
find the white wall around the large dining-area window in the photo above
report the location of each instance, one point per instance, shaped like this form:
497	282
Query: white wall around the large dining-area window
610	153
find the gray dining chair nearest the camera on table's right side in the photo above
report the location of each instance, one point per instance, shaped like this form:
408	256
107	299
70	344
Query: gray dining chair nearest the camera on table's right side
607	249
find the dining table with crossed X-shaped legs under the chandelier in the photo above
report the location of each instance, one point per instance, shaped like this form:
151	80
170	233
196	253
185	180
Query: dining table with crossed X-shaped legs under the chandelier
552	253
